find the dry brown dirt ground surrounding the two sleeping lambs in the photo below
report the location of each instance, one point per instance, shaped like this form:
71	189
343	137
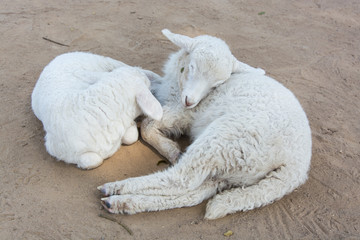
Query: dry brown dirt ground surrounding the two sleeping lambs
312	47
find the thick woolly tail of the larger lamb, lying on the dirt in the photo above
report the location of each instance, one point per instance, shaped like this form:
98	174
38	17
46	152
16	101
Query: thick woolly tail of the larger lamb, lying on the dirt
273	187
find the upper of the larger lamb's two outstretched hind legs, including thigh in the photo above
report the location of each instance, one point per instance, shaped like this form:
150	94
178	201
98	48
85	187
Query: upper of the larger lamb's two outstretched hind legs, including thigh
194	167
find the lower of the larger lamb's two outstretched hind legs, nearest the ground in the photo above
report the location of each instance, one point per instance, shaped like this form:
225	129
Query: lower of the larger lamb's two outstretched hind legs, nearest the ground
131	204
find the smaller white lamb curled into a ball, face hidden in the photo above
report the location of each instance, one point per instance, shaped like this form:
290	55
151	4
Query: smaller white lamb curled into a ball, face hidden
88	103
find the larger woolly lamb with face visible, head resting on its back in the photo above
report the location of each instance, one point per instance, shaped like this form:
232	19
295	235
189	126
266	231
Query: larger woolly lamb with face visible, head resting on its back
251	138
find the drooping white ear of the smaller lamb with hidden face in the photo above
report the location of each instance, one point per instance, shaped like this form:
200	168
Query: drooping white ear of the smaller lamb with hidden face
149	104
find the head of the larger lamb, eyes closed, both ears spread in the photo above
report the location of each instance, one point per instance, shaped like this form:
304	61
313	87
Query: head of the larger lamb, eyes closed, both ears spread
206	63
